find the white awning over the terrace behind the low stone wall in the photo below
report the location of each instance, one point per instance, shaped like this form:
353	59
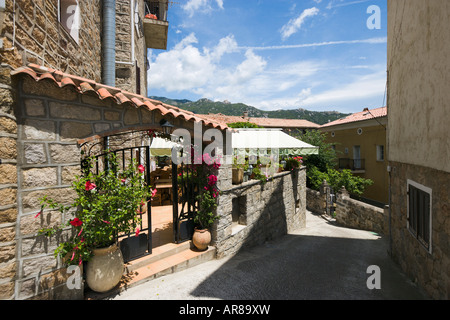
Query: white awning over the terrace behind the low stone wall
271	139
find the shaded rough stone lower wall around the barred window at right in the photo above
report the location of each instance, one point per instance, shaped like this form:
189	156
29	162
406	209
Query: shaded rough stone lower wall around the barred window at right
430	269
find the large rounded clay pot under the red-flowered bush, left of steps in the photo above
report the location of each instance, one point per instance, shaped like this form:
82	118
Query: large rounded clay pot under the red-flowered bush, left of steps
105	269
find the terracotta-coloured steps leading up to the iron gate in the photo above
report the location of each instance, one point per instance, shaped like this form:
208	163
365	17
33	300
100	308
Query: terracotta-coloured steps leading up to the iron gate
166	259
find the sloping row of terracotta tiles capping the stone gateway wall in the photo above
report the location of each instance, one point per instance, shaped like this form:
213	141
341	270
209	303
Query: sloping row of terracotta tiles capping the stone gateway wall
85	86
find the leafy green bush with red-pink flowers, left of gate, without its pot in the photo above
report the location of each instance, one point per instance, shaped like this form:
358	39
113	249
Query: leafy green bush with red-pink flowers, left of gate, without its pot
107	204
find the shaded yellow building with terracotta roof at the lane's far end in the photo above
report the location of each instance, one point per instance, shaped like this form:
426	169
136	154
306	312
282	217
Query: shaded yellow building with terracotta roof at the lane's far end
360	142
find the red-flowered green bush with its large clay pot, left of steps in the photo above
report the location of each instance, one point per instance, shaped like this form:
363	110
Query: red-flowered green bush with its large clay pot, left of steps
106	206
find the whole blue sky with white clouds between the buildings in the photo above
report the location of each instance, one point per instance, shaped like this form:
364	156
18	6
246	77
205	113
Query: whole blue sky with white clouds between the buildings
318	55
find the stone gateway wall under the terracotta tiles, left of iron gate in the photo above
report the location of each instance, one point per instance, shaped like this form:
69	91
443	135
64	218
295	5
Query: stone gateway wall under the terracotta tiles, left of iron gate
41	156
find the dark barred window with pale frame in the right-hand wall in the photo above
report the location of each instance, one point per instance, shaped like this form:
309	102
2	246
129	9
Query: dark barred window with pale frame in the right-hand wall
419	212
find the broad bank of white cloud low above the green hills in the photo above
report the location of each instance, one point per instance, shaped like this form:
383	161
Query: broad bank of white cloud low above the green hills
264	83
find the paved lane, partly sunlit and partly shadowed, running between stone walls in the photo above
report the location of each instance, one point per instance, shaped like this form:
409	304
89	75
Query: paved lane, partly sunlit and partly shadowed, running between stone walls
321	261
